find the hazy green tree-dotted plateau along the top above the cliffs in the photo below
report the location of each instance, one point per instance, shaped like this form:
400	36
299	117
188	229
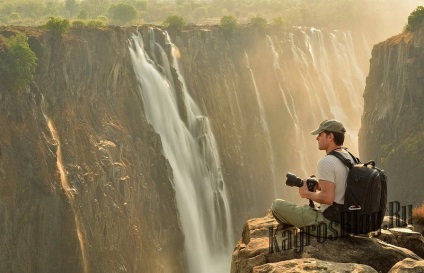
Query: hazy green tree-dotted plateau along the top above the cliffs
365	16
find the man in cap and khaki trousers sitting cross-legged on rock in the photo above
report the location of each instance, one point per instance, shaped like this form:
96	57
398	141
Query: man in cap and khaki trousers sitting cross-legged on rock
331	175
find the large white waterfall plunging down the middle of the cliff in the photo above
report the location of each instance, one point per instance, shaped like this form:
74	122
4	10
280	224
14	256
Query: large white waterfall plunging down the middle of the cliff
190	147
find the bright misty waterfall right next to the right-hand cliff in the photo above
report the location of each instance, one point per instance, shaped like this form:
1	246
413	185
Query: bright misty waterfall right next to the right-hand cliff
350	76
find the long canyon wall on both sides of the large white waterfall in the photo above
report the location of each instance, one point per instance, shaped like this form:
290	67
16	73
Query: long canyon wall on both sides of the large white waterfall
85	186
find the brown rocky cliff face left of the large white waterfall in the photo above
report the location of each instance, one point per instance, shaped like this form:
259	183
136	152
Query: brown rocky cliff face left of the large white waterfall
113	209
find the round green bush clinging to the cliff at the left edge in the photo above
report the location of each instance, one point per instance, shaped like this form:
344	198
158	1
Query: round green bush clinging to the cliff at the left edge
17	62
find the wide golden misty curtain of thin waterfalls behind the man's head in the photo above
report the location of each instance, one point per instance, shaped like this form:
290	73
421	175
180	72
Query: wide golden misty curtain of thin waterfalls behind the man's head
319	78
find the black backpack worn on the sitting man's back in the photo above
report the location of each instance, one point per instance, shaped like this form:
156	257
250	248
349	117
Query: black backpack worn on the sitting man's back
365	197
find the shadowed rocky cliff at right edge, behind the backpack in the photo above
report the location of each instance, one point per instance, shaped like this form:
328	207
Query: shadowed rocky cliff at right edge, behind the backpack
392	123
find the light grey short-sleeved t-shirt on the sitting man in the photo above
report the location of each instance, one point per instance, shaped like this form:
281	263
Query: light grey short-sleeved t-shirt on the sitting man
330	168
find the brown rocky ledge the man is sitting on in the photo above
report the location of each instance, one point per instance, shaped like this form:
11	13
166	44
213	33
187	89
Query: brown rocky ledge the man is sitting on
263	248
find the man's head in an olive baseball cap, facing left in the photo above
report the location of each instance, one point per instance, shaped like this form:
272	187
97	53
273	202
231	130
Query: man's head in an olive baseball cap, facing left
334	132
